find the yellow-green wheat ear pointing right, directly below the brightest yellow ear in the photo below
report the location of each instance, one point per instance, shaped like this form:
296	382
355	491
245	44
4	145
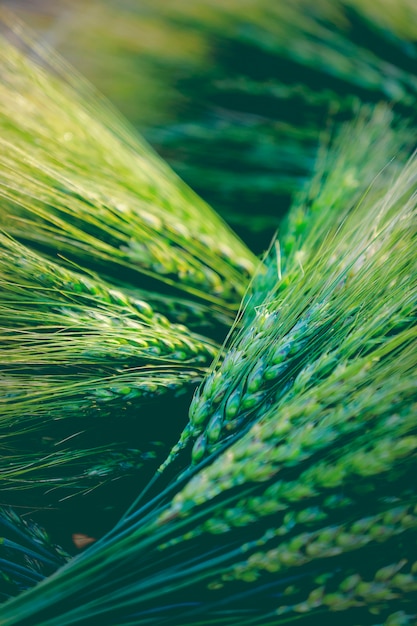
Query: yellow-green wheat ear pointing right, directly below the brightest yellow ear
63	317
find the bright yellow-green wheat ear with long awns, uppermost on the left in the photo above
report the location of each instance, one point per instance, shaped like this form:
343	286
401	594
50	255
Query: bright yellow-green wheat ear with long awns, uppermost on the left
76	179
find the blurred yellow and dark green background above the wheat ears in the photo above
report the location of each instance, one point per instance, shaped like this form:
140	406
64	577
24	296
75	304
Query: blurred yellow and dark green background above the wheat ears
237	94
